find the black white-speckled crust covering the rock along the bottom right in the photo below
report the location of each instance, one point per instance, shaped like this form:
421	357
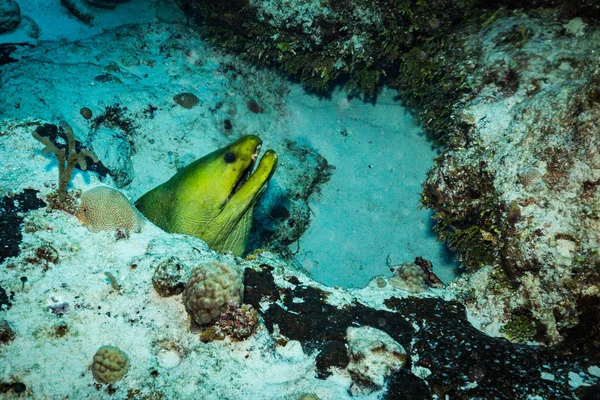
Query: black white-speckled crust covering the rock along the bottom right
446	354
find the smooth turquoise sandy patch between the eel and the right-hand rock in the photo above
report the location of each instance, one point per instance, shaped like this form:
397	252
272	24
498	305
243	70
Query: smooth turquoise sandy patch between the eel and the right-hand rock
367	216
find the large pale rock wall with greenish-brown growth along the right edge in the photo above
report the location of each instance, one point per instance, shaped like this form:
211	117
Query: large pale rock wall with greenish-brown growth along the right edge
515	193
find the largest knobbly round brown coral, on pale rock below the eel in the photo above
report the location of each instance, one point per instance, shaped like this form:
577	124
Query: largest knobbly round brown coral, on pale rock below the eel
212	288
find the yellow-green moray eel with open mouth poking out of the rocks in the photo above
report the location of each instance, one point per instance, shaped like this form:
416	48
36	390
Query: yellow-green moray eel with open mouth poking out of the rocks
213	198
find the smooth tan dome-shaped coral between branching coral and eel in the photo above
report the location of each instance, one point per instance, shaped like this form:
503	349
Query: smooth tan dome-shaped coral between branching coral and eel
103	208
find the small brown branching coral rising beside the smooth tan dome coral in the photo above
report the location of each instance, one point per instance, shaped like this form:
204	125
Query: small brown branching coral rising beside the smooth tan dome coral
67	158
